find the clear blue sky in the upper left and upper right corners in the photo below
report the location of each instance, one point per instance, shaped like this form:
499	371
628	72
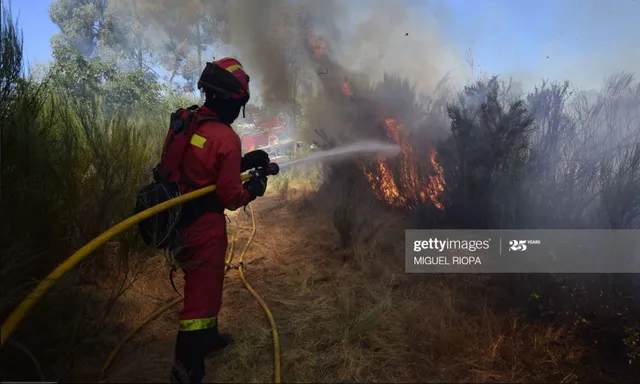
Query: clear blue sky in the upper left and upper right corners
580	40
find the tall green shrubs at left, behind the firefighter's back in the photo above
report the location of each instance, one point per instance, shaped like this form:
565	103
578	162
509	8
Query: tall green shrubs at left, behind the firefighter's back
70	170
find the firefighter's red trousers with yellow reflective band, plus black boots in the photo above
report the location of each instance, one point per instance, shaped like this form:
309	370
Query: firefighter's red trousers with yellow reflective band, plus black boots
203	262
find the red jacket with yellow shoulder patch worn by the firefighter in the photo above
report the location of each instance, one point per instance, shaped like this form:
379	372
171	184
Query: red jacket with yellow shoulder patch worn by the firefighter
214	157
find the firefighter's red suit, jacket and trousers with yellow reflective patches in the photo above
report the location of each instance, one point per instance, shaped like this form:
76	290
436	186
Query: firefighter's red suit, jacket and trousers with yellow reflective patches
213	157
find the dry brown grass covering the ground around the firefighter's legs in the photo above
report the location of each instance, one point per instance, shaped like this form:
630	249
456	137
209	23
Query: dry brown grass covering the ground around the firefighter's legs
346	315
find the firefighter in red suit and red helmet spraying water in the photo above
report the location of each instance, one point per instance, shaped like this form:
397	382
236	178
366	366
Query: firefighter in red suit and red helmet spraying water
215	157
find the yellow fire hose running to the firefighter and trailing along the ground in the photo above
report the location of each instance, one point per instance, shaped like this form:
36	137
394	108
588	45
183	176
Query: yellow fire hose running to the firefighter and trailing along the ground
21	311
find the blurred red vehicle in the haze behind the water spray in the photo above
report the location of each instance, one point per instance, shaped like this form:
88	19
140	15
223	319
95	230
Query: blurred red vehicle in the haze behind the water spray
269	136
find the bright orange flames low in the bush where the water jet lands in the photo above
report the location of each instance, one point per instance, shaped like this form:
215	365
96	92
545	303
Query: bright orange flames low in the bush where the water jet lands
417	184
